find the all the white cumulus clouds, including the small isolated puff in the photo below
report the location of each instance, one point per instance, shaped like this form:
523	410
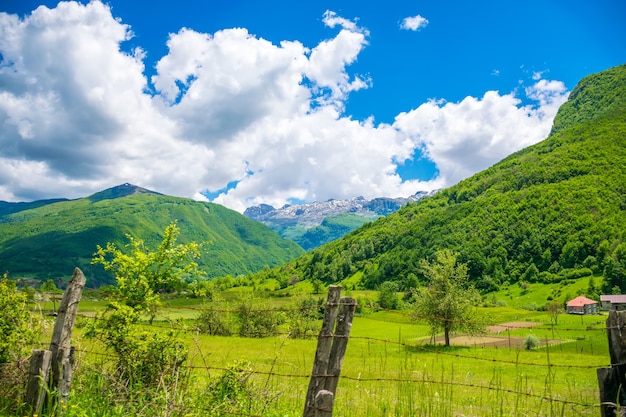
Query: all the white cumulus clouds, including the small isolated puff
264	122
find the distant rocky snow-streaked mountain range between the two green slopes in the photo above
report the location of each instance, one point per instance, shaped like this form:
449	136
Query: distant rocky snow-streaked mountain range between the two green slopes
314	224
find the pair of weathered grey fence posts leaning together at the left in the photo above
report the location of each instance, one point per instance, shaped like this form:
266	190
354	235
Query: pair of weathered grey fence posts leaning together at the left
58	368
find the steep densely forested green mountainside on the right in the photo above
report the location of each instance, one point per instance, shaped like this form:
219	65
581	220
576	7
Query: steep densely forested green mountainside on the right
551	211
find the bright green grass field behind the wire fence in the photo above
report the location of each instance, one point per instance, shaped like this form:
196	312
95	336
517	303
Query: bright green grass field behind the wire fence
391	369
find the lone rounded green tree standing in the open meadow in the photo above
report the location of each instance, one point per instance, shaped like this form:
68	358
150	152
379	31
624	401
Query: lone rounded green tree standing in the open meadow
446	303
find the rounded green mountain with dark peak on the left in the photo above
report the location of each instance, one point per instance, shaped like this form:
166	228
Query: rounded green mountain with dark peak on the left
49	241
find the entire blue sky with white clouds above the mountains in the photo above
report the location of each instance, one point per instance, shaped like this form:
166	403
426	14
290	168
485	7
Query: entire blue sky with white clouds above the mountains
282	102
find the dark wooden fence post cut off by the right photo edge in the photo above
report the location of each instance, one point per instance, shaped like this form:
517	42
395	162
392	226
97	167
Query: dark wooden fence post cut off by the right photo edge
612	381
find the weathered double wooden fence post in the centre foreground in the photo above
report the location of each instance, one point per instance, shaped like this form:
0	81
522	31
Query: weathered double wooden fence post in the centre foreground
331	347
